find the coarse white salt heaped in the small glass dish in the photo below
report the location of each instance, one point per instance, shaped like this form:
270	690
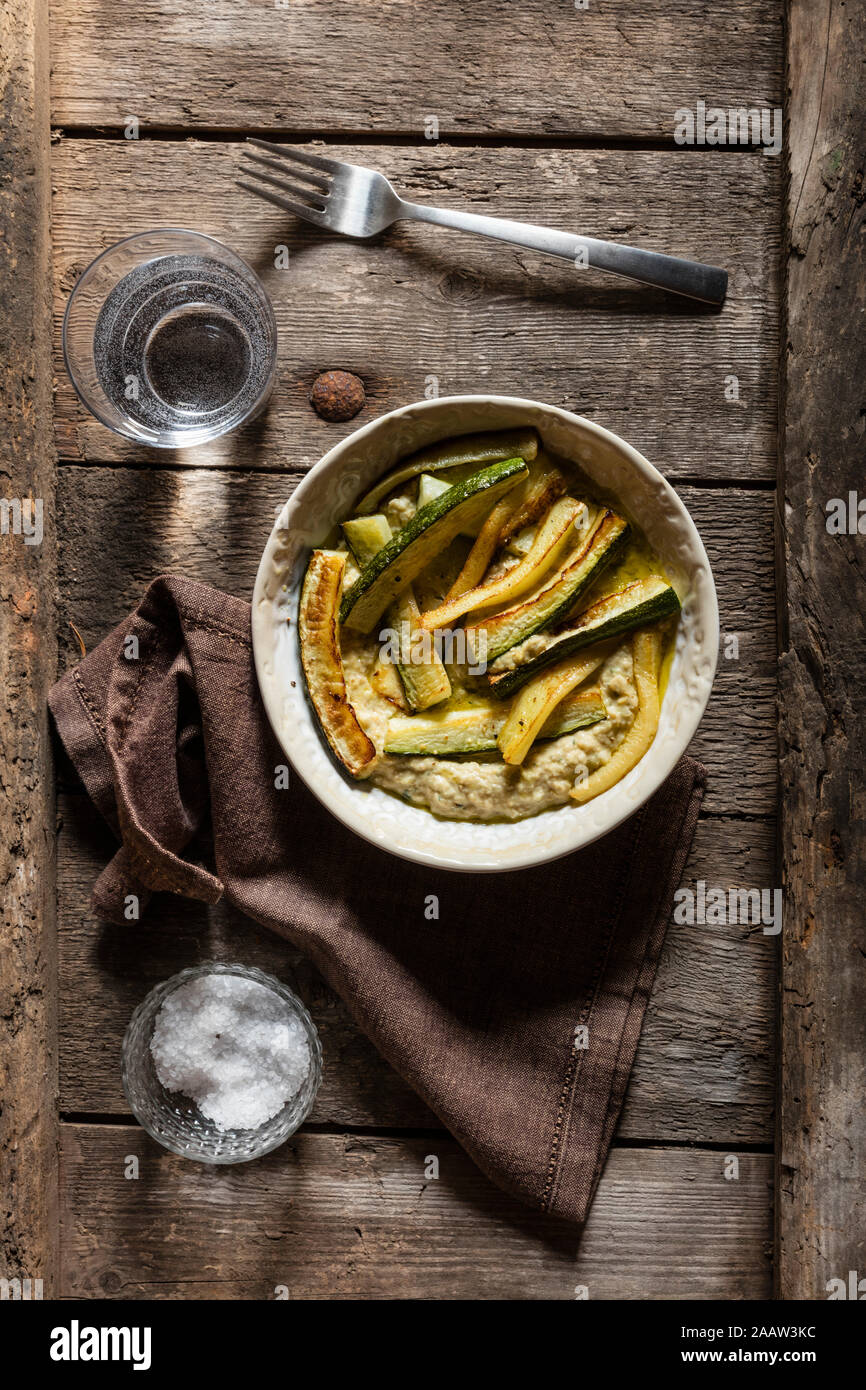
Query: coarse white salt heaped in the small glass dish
231	1046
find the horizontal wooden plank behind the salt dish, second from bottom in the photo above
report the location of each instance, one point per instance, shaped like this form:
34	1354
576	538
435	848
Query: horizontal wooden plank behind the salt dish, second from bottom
704	1070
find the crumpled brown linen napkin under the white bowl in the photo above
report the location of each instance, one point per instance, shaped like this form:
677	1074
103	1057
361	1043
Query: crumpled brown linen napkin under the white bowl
479	1010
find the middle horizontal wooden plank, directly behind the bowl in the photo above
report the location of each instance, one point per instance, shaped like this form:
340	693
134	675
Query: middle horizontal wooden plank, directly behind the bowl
123	528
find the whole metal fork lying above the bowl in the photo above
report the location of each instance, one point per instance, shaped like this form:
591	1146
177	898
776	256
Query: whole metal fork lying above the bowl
358	202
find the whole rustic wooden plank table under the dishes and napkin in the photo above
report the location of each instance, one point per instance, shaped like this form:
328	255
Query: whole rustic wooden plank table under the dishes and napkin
551	113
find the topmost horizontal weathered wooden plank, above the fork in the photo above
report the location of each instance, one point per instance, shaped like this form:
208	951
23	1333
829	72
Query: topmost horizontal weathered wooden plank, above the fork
366	66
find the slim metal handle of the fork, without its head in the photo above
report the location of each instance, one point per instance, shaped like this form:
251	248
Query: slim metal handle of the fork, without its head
683	277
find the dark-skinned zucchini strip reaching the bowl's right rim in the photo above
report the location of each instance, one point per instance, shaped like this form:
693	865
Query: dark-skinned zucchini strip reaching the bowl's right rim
637	605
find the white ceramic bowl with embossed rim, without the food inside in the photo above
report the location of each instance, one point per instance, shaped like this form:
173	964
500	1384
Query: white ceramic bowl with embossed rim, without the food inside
326	497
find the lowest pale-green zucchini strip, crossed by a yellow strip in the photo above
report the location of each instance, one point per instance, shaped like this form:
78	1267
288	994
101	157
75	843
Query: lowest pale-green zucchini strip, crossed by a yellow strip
475	730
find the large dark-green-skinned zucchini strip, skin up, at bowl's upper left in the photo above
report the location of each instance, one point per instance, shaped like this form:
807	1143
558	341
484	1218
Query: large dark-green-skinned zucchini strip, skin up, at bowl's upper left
416	544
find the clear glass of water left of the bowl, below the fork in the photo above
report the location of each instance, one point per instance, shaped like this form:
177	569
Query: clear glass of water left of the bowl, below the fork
170	338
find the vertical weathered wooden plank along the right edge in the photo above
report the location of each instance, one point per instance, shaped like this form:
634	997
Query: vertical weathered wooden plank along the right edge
822	1209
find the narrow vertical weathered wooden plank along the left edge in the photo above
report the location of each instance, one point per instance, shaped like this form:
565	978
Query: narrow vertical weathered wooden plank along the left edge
28	653
